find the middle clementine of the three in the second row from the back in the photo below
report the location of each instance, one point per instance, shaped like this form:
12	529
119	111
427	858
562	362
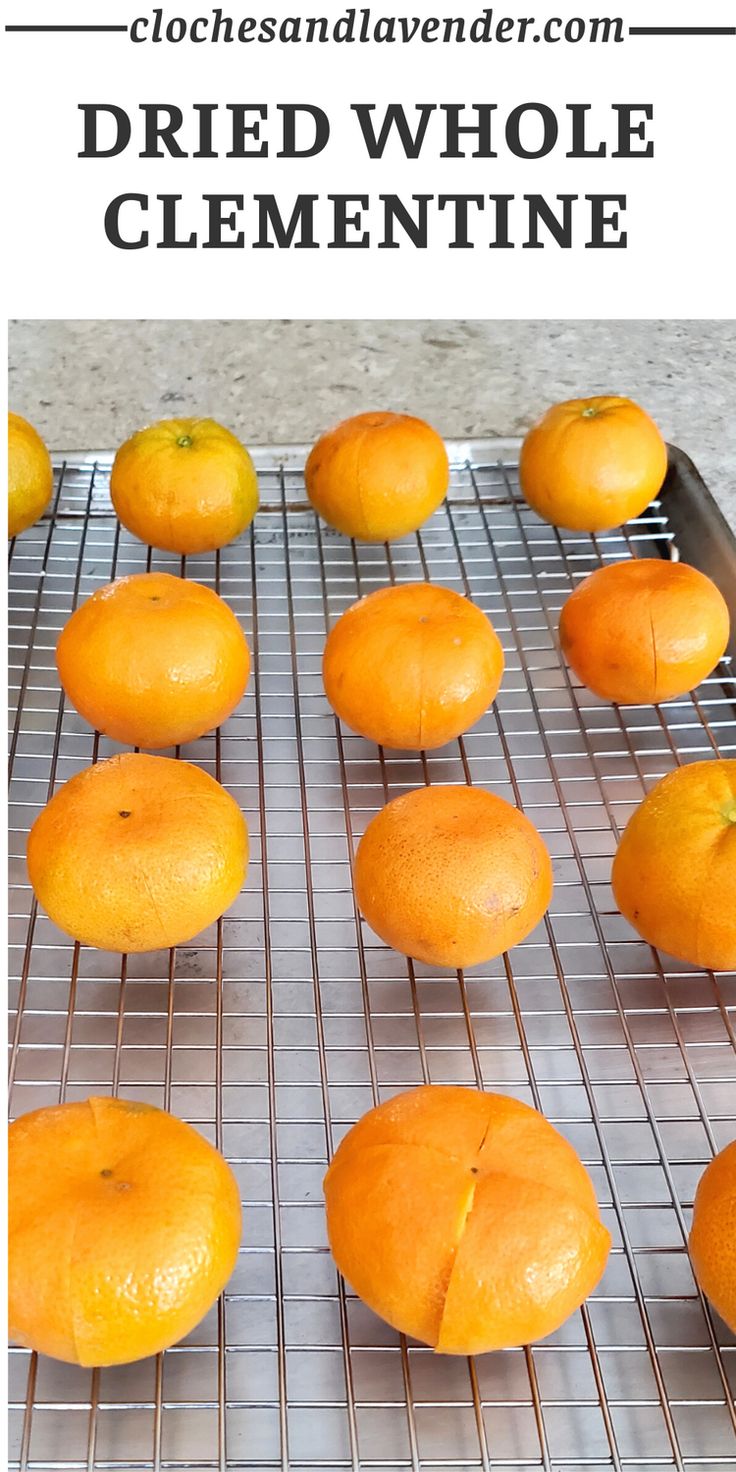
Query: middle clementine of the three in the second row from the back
413	666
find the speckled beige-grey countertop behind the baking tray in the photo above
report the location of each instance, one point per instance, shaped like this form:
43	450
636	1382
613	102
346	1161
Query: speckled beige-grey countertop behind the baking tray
88	385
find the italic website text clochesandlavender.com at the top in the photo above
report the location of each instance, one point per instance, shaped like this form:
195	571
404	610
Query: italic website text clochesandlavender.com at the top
363	26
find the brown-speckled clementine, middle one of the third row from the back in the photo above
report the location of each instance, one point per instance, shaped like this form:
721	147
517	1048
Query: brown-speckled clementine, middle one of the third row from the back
453	877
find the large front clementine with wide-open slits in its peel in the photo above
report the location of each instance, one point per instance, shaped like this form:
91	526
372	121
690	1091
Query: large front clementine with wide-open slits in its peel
464	1220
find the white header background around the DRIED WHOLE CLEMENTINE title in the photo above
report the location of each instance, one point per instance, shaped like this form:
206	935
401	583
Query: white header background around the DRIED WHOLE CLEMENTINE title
681	214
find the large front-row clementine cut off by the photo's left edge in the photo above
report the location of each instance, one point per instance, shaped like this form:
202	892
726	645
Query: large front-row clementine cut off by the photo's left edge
124	1227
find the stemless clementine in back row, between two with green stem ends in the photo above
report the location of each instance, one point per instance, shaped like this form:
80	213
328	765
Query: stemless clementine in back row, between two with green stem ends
378	476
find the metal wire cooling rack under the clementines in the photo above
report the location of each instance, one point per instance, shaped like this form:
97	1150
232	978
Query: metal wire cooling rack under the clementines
277	1028
